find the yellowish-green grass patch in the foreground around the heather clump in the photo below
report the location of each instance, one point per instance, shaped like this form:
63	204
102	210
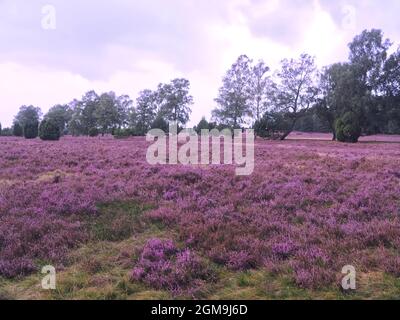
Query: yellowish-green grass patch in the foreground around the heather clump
101	268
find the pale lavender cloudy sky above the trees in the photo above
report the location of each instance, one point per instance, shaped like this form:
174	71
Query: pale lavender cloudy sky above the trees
54	51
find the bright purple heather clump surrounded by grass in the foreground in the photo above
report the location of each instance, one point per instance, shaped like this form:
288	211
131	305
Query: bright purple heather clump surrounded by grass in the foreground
162	265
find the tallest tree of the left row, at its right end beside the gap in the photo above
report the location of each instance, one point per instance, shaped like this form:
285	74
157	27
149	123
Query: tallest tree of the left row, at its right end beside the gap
174	101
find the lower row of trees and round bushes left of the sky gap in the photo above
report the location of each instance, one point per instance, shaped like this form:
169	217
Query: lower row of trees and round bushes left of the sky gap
108	114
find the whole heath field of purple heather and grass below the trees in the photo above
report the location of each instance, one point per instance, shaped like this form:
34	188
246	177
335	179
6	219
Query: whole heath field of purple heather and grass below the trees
116	227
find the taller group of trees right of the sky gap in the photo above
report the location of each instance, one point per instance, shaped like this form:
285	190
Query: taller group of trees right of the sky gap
358	97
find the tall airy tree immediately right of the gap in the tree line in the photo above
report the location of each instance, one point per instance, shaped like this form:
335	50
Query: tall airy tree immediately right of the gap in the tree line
235	99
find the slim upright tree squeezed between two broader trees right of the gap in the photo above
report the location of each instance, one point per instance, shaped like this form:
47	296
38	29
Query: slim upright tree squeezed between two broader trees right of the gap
260	83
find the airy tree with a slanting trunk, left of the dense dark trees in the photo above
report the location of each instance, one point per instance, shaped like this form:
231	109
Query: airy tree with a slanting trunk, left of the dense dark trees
294	90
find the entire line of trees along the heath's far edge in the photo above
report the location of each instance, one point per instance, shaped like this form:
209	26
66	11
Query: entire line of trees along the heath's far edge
348	99
